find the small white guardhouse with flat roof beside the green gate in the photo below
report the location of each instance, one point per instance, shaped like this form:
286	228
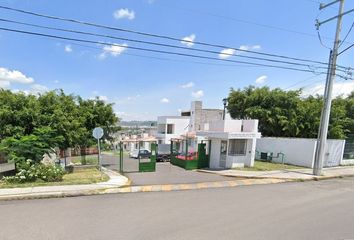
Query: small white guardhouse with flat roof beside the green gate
233	142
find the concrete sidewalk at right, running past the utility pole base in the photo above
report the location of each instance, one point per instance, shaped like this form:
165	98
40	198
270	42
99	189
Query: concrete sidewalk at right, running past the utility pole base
289	174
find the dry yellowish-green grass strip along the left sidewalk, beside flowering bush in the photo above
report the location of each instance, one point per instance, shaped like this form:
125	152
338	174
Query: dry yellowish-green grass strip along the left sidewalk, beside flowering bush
79	176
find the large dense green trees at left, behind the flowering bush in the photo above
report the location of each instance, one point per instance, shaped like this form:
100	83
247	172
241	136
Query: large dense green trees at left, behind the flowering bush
69	117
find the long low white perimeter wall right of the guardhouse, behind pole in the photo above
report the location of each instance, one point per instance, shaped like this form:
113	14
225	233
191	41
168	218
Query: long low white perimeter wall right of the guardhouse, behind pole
301	151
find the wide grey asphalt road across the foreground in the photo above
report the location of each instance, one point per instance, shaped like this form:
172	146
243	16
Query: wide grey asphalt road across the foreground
311	210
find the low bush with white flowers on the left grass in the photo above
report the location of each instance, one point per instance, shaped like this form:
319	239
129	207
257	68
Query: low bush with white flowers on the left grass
30	172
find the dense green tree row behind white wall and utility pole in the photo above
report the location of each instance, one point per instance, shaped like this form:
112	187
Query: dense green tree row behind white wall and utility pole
287	114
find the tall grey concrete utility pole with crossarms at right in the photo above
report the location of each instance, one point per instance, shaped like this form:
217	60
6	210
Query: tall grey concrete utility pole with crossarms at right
323	130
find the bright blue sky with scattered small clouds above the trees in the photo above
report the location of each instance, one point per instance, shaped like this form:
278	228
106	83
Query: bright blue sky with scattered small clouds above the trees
143	85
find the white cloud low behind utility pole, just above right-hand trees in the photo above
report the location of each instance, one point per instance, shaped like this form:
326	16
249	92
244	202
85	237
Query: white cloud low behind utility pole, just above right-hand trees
339	88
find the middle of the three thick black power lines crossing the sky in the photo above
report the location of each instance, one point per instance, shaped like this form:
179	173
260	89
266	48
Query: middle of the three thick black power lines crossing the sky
157	44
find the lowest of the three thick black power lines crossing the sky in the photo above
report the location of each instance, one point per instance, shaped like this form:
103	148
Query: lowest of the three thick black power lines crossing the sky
154	50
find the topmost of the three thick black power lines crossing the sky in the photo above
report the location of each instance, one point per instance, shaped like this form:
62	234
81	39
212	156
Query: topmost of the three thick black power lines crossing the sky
155	35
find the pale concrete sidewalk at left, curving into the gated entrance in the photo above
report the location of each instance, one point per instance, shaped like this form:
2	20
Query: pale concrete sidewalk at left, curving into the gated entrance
116	181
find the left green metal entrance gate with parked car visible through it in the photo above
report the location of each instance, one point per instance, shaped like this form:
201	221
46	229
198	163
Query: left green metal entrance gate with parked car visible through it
139	156
